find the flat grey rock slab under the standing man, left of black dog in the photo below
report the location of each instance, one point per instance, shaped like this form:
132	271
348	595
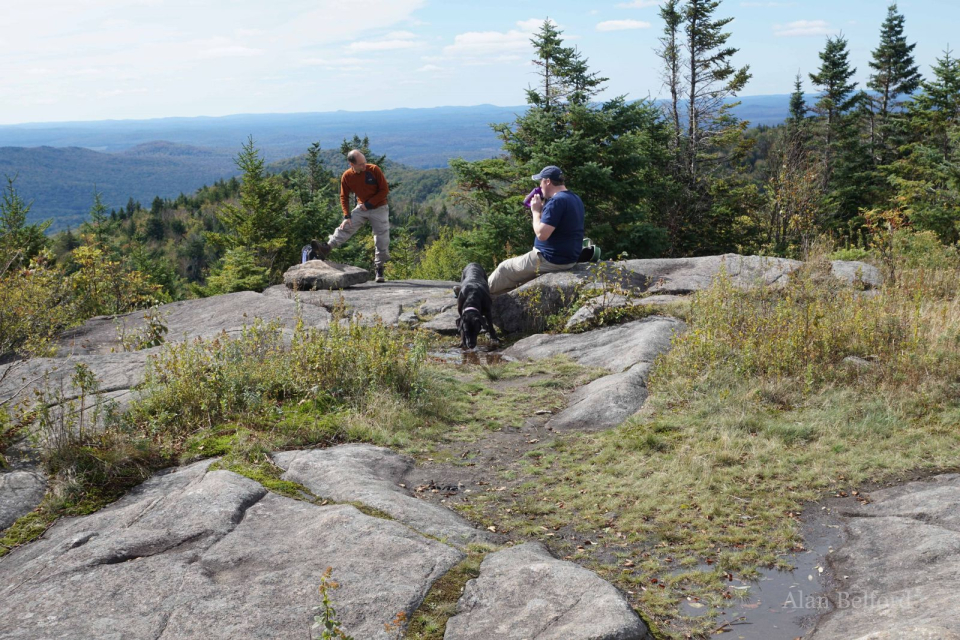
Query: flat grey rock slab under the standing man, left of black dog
373	302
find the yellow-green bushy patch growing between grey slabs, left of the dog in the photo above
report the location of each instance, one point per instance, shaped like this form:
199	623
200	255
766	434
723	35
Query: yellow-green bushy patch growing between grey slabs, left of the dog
256	381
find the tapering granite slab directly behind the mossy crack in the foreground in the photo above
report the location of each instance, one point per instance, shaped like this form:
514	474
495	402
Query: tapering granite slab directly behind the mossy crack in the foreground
372	476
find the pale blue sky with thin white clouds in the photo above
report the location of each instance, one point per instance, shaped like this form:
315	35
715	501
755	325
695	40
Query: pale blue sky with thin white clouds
120	59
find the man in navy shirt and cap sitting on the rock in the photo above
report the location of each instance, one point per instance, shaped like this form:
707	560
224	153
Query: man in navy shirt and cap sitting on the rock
558	226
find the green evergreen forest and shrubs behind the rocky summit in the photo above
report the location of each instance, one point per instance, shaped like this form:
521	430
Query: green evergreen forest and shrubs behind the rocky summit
680	177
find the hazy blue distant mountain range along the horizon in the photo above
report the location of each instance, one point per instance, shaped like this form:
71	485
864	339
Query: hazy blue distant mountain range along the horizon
59	164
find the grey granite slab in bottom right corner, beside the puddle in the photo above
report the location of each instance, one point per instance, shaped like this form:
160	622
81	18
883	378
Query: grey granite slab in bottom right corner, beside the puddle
898	572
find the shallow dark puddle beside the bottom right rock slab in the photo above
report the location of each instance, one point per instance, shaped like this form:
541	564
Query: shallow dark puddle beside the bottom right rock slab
782	605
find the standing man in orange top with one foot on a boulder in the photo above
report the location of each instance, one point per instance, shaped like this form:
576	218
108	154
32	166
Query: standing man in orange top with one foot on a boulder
367	182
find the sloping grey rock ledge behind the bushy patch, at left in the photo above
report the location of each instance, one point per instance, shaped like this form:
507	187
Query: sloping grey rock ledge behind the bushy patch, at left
188	319
